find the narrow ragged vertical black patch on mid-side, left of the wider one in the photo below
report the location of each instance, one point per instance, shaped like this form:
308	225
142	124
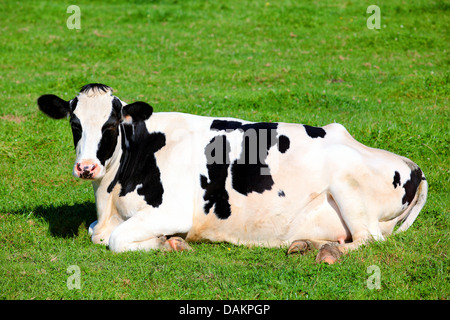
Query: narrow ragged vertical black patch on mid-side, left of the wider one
215	193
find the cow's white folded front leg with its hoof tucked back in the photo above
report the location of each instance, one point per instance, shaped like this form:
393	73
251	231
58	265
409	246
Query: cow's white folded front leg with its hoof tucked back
149	231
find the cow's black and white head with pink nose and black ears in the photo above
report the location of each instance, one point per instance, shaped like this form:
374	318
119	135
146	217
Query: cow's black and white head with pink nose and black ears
95	116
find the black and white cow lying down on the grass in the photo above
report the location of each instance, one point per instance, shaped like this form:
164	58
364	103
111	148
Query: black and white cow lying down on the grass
162	180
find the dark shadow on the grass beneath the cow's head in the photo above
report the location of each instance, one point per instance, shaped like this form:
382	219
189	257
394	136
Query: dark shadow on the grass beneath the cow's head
65	221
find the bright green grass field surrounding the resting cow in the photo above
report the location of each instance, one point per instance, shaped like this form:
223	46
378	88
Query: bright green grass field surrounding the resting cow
289	61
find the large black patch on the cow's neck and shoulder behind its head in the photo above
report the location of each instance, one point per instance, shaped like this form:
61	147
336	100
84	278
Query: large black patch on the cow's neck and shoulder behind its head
138	167
